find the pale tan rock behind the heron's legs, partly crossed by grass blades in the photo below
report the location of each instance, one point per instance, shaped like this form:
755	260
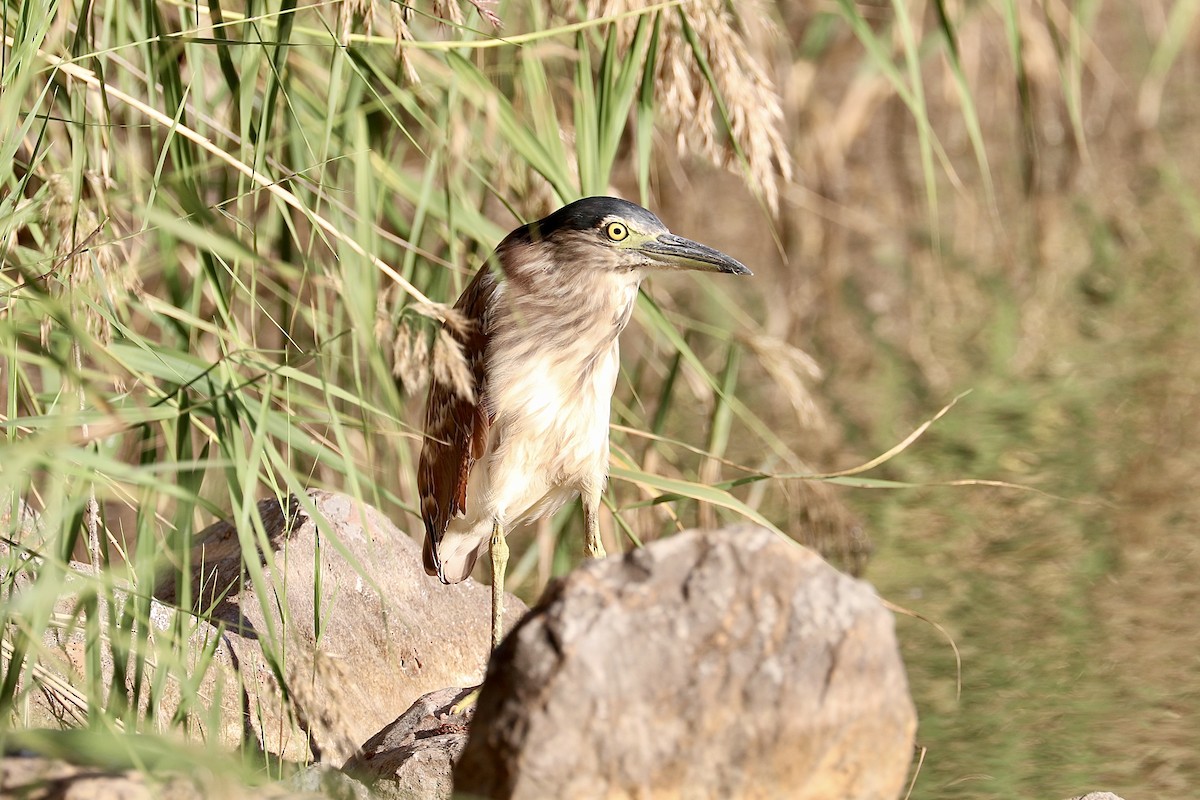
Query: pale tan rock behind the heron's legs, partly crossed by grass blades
388	633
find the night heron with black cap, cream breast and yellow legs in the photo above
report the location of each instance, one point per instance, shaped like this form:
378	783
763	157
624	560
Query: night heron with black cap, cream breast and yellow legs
544	318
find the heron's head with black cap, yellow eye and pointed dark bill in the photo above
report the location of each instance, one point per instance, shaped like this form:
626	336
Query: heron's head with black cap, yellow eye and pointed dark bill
610	234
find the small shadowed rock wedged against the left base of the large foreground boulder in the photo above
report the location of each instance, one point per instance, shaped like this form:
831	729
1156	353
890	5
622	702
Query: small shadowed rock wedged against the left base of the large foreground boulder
413	757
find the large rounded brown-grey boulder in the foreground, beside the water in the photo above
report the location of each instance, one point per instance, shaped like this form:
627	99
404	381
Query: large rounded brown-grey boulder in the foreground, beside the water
711	665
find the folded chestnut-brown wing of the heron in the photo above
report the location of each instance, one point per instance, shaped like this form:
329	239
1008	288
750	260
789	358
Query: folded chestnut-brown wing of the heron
455	426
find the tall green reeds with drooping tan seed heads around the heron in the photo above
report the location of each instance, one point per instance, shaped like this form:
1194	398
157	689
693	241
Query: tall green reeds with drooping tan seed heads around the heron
229	246
